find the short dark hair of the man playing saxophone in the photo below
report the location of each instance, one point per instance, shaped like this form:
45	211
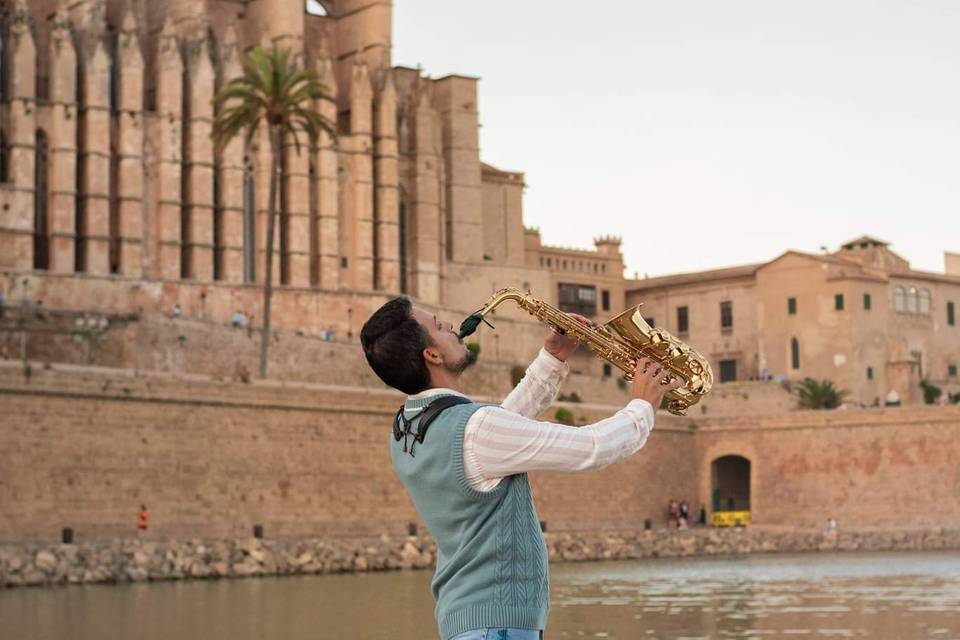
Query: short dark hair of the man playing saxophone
393	342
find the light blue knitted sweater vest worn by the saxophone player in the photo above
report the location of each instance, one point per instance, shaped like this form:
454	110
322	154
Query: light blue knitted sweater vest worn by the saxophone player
491	557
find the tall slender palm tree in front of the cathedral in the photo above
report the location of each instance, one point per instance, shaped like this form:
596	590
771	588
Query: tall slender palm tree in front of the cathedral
273	91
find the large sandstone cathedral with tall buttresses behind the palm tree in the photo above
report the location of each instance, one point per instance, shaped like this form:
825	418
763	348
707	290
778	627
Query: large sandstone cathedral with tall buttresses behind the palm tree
110	179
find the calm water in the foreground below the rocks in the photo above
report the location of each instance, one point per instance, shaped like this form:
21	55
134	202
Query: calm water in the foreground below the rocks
896	596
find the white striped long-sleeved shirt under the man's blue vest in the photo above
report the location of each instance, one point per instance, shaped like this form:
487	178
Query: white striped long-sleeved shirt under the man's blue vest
506	440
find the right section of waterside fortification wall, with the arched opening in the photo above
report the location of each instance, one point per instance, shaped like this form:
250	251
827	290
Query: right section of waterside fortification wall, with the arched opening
886	468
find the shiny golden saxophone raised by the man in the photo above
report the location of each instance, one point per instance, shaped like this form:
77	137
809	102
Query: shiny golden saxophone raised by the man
621	342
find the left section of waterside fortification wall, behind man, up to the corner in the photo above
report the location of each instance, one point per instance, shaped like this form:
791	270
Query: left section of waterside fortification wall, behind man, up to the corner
85	447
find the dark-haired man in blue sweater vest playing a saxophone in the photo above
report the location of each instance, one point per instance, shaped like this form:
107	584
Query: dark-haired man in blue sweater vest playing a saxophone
467	475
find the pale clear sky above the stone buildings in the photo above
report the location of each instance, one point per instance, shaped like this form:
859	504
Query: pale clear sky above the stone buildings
710	134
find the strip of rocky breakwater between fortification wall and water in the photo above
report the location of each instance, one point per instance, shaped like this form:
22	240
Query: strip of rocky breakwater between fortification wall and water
140	560
